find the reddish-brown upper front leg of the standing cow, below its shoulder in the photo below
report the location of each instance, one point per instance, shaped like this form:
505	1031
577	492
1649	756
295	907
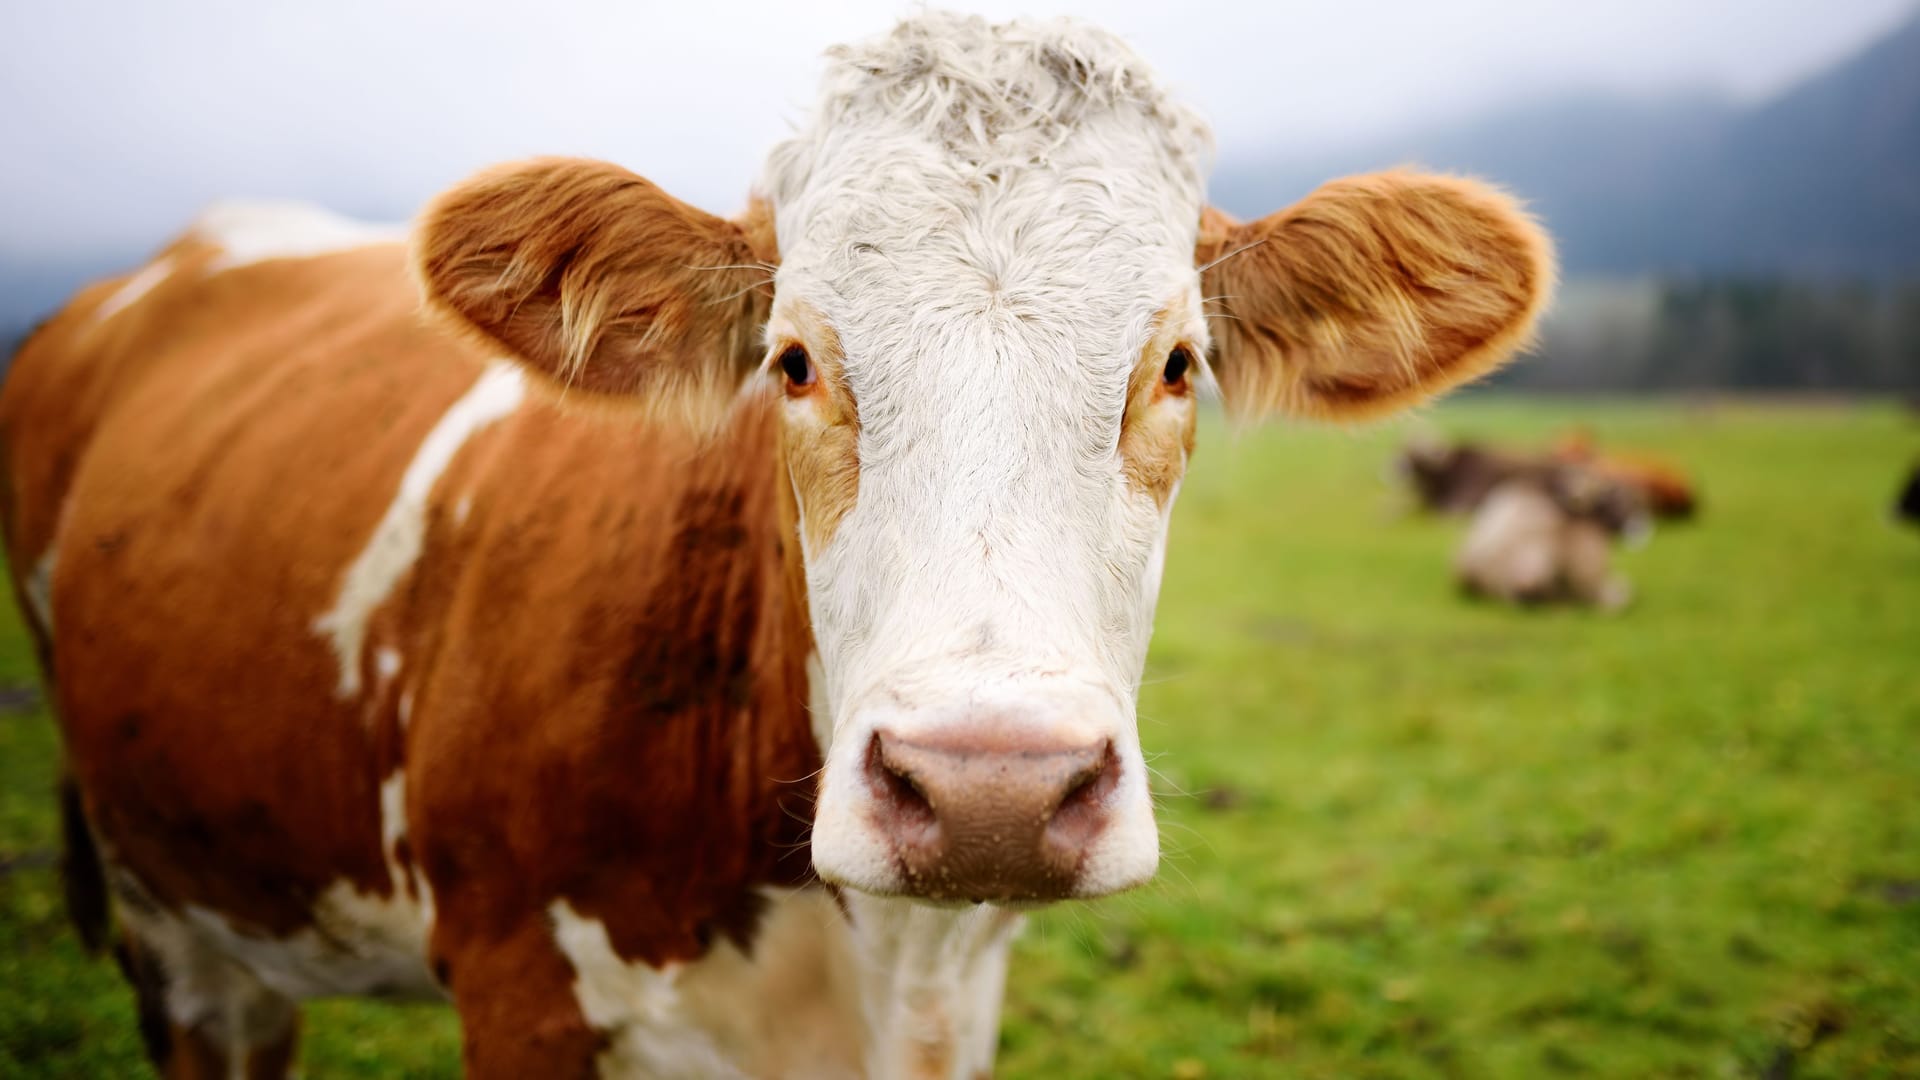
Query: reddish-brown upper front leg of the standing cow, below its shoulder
516	996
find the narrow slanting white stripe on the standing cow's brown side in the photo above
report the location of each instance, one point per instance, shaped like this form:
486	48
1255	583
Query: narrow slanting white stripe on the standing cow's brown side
400	535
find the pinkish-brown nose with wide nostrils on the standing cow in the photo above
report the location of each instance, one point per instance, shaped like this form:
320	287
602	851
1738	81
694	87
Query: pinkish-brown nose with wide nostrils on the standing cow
990	818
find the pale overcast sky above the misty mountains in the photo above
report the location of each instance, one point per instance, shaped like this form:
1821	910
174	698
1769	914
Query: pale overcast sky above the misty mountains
120	118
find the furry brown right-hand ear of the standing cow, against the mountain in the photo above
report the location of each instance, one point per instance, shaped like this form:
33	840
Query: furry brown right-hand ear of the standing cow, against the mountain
1372	295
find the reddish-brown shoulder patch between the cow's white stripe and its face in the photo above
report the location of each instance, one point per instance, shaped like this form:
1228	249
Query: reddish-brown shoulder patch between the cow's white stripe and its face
671	766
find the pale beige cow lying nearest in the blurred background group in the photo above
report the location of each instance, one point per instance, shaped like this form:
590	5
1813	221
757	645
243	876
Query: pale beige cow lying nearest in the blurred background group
1550	539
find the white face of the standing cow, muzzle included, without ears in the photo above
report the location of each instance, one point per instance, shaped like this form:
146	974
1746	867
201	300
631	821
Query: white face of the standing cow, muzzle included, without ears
974	320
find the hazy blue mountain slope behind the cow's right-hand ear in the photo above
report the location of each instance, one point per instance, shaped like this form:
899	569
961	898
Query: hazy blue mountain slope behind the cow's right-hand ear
1823	182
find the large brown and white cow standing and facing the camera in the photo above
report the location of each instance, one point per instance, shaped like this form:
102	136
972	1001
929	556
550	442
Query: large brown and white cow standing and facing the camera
690	647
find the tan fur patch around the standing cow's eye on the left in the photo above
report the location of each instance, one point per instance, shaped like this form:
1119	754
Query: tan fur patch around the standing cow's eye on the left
823	428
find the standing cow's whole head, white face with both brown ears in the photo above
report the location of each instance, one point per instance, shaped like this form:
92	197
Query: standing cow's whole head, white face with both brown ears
997	297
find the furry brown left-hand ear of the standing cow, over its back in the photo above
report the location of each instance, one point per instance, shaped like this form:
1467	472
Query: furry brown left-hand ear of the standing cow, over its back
598	280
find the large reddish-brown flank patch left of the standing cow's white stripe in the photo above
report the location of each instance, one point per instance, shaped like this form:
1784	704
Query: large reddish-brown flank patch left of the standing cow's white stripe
249	430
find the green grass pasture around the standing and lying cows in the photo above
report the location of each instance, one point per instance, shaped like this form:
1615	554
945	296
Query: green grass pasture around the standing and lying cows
1410	835
